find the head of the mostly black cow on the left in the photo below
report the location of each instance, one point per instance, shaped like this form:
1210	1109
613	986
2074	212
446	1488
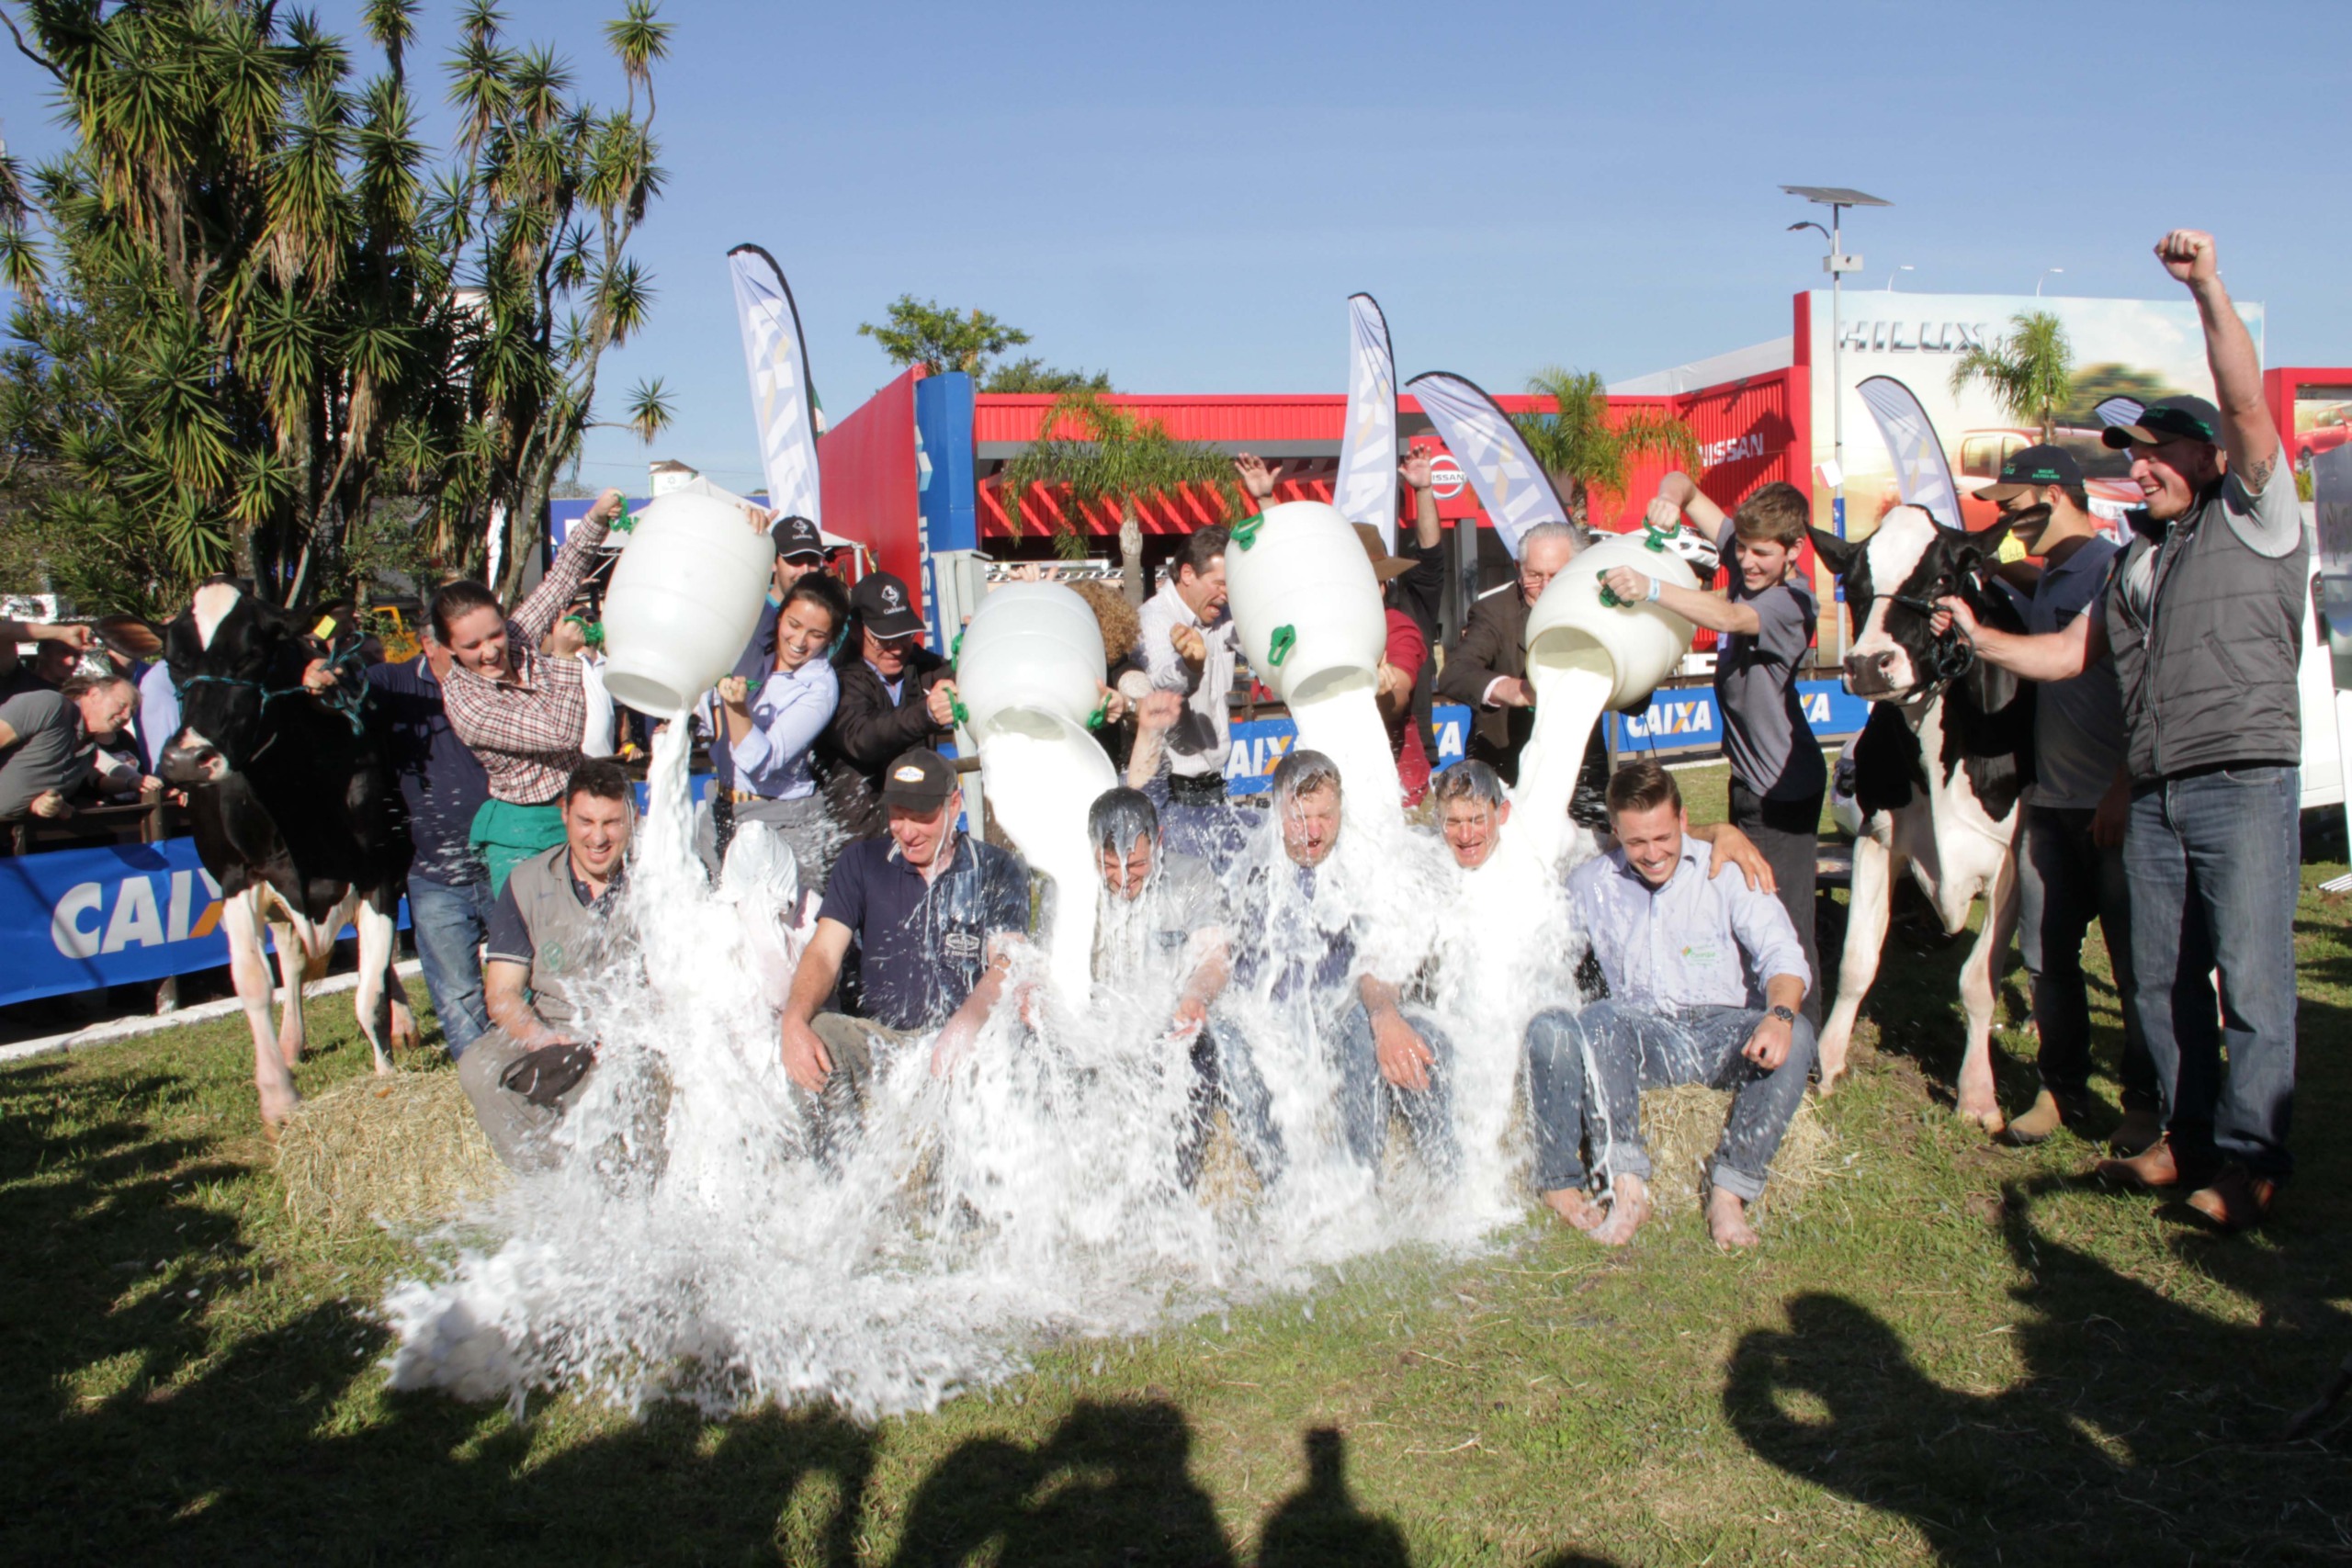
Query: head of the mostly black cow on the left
229	652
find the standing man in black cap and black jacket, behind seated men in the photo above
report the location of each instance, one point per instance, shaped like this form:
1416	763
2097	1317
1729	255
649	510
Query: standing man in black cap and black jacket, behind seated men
895	697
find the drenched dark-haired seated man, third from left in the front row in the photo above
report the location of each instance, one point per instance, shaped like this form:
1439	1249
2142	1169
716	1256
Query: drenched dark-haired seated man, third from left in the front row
1163	927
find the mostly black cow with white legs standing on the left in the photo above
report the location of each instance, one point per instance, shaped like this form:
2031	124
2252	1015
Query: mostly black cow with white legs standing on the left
298	817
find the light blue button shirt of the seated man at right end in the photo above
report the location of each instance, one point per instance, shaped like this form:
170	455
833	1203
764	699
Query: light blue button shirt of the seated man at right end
1699	942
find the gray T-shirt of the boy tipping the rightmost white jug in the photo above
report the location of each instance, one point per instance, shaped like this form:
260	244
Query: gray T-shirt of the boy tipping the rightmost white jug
1768	742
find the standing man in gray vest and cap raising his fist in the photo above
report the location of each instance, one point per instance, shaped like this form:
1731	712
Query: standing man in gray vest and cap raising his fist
2205	619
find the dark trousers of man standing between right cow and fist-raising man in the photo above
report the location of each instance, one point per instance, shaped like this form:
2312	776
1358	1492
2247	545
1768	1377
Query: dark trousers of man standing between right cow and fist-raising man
2064	883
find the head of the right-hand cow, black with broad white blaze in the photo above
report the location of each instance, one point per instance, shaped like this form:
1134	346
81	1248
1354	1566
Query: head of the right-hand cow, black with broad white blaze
1892	587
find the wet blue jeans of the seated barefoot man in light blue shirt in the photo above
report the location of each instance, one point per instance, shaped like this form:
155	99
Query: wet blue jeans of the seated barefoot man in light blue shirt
1596	1064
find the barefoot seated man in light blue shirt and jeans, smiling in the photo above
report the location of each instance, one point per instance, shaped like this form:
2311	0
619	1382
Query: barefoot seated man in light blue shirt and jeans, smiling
1704	989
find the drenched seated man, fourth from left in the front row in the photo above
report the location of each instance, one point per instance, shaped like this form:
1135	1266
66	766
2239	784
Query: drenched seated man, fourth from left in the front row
1387	1059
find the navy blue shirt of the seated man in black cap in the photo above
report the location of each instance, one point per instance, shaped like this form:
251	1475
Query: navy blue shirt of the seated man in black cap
921	946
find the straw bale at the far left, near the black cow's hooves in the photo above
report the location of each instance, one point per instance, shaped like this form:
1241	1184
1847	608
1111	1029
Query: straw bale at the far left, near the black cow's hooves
396	1151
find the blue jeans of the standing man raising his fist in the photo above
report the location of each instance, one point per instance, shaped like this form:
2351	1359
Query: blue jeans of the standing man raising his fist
2214	869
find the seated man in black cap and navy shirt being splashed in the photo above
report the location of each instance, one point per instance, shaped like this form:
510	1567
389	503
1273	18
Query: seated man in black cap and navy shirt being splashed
926	923
